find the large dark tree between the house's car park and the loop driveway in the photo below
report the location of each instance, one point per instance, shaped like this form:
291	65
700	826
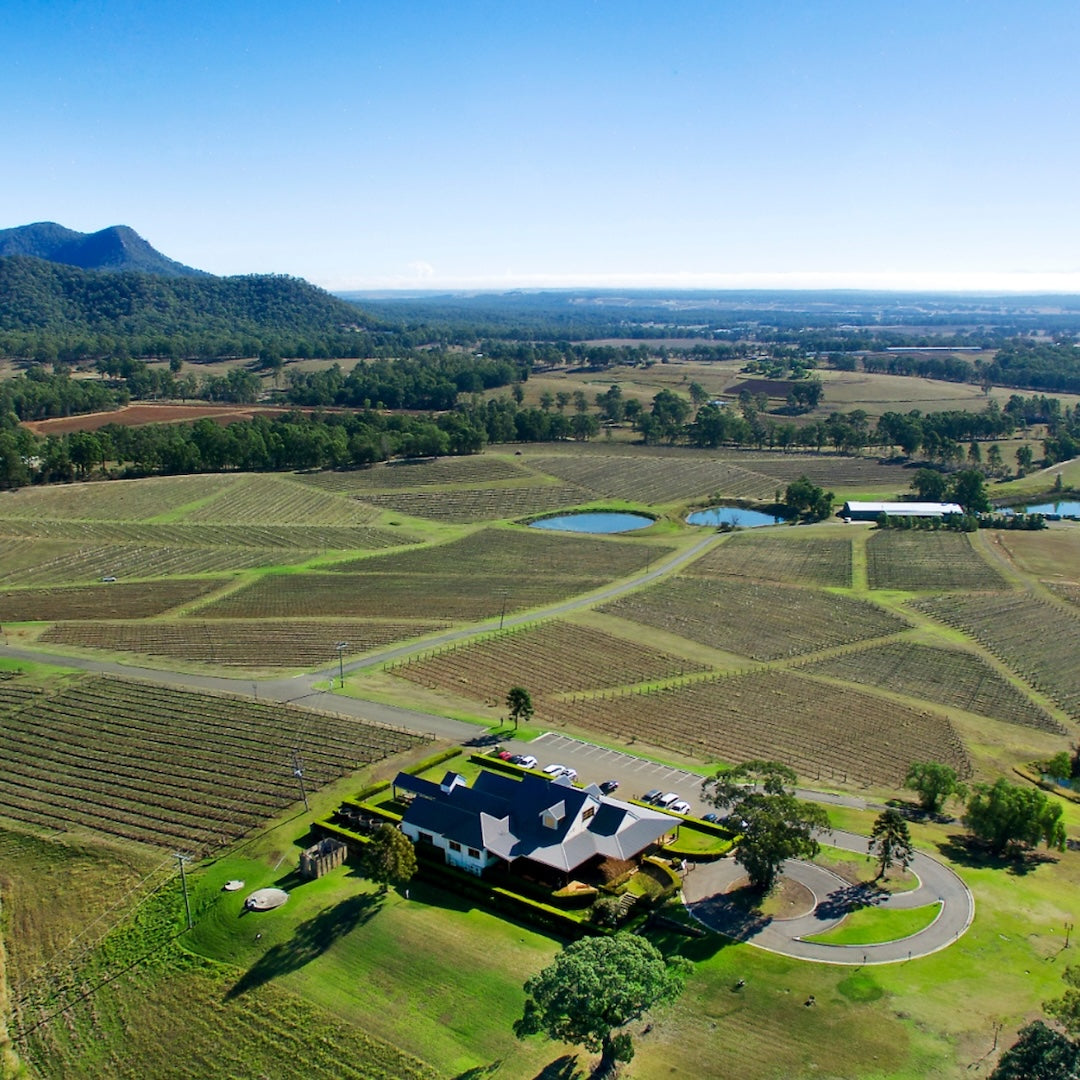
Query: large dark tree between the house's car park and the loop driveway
774	823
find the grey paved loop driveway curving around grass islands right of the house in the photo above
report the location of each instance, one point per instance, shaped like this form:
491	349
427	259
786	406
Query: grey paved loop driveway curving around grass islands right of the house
705	888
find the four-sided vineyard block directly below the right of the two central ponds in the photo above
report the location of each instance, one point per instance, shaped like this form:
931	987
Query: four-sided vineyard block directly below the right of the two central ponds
790	559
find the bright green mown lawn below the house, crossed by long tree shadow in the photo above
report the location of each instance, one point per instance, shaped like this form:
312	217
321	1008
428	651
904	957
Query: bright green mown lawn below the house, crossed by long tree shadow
431	975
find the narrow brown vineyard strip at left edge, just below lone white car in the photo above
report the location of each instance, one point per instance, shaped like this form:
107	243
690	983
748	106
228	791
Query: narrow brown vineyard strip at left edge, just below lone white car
117	600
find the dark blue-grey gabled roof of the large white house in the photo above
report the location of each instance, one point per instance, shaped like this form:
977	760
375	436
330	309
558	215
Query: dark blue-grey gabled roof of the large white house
506	816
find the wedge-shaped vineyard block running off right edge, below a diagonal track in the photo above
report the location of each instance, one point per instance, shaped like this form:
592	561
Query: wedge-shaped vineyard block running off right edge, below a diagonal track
1038	640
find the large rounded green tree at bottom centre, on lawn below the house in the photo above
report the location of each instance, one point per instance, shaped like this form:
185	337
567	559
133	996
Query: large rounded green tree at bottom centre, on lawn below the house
597	987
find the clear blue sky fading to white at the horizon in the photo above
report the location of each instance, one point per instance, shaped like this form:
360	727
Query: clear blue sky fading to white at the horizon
517	143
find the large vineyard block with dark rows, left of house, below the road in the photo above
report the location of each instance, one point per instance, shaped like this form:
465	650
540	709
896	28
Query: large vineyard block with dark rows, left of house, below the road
169	767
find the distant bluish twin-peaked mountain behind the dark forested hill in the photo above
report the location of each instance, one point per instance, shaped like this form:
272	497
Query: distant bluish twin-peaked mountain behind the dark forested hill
117	248
